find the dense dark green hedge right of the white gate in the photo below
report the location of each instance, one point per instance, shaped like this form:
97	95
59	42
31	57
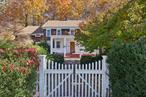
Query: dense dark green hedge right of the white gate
127	66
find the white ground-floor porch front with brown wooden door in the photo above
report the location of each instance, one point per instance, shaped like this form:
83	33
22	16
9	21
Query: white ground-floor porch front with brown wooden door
63	45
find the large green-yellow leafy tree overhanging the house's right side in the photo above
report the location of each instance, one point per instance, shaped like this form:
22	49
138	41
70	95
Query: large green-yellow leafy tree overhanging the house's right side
127	23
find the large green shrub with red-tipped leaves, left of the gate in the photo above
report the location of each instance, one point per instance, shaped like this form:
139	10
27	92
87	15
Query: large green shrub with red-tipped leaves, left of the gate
17	71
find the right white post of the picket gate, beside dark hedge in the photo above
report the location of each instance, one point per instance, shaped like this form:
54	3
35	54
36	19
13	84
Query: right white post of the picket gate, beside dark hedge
105	78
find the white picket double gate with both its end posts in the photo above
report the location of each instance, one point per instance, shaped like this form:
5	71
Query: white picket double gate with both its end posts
73	80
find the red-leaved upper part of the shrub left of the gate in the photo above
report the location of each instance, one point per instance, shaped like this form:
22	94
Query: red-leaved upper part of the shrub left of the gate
26	57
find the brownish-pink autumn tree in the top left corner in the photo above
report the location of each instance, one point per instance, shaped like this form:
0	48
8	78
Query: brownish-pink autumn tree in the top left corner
10	16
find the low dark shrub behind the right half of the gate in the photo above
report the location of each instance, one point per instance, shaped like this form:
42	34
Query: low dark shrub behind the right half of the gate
90	59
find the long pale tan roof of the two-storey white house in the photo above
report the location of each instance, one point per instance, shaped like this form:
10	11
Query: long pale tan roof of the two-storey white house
58	23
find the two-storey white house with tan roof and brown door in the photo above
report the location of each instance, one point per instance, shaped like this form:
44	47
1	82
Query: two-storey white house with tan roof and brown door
61	36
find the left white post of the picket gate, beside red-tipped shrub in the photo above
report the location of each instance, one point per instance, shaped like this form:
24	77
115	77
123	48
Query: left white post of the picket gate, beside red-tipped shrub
42	67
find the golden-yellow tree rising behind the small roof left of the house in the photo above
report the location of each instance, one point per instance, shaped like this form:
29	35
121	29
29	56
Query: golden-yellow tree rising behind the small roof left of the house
34	10
